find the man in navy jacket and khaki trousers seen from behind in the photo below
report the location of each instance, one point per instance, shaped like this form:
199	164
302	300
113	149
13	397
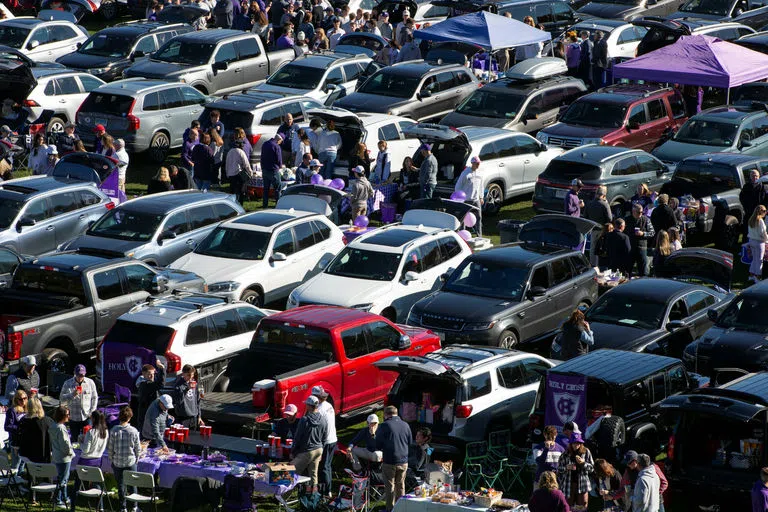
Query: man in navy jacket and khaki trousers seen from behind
393	439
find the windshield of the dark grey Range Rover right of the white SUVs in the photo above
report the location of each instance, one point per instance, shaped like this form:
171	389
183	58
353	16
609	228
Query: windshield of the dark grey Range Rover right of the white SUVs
488	279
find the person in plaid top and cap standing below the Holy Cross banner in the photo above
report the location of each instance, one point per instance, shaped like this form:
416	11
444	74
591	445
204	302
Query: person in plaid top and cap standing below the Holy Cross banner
574	469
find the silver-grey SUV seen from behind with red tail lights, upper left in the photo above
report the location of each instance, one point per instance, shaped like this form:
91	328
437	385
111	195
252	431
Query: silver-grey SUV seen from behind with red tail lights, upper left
150	115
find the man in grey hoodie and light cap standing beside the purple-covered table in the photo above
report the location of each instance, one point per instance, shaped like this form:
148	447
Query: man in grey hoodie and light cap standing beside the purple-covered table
308	441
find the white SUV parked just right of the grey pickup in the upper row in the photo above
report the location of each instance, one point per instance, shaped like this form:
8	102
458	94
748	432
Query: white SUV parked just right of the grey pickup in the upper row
324	77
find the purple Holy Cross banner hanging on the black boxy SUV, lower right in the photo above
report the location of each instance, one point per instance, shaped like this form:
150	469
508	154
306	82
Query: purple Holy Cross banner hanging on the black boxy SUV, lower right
566	400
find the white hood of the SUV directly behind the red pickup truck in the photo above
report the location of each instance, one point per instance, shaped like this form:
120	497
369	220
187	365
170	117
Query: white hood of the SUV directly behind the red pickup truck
320	290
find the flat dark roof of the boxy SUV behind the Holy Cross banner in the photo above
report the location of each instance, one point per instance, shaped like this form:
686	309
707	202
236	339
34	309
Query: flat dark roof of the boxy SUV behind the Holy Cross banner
616	366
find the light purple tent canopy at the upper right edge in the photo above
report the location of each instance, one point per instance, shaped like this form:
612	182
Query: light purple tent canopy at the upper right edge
697	60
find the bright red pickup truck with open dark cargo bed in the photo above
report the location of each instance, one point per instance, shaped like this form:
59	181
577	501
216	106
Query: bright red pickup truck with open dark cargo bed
294	350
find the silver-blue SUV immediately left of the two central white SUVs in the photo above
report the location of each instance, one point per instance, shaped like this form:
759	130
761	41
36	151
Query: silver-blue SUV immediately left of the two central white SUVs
158	228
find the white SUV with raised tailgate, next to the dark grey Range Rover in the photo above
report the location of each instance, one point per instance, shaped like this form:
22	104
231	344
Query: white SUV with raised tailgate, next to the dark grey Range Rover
388	270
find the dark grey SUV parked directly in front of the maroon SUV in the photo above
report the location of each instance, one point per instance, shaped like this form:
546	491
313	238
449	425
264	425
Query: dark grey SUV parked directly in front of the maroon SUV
619	169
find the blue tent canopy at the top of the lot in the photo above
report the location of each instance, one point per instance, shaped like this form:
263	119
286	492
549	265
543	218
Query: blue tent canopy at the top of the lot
484	29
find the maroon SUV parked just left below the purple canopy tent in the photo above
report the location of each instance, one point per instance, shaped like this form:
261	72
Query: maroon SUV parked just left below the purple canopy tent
633	116
